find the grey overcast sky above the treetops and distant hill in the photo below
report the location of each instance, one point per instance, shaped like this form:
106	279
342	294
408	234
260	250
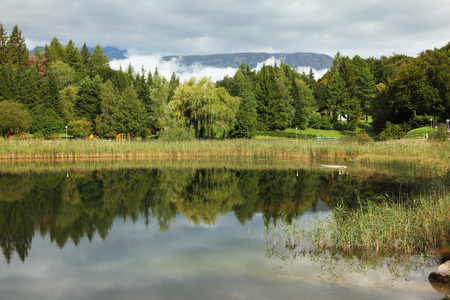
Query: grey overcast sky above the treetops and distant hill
179	27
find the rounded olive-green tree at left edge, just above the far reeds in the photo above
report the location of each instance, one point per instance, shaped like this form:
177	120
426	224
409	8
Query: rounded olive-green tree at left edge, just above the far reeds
15	118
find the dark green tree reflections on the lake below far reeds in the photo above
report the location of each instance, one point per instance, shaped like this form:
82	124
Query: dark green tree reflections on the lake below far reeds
78	204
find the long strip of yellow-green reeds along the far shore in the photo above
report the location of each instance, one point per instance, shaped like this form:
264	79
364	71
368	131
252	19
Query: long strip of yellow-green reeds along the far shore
429	154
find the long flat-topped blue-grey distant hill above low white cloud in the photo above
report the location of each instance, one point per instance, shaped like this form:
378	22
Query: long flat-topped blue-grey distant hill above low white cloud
294	60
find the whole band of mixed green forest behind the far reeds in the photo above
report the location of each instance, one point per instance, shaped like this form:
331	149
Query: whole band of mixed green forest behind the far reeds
65	87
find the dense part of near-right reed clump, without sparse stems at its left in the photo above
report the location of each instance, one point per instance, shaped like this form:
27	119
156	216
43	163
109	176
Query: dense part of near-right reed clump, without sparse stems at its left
389	227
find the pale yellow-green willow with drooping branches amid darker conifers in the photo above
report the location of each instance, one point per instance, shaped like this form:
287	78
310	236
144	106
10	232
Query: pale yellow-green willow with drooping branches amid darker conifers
208	110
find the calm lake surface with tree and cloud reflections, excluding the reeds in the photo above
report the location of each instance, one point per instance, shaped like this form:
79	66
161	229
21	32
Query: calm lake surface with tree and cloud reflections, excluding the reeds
192	233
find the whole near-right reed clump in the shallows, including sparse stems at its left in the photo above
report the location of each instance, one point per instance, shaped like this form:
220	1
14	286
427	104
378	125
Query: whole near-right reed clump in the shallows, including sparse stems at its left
374	230
